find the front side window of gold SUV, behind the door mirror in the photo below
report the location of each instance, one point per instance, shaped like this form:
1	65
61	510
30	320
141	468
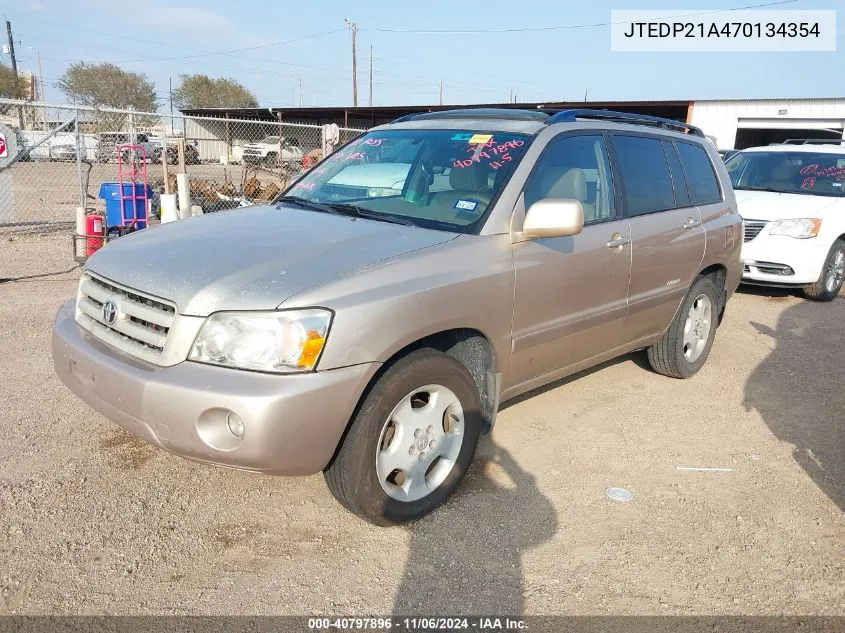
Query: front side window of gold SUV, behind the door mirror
574	167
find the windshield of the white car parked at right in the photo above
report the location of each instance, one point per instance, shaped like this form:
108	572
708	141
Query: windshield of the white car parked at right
813	173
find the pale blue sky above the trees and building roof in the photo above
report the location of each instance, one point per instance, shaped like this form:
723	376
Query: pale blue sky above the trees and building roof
287	53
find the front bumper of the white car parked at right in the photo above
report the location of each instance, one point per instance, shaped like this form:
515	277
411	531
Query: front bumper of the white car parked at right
782	260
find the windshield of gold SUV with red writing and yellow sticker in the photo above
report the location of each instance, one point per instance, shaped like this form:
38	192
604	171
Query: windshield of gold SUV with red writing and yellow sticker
442	179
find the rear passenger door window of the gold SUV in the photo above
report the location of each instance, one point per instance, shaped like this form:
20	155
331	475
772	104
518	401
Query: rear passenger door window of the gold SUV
645	174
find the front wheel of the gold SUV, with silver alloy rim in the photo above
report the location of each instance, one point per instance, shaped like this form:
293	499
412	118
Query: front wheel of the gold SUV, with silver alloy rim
411	442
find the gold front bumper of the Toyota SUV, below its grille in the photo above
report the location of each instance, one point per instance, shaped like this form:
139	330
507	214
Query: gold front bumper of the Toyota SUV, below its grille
293	423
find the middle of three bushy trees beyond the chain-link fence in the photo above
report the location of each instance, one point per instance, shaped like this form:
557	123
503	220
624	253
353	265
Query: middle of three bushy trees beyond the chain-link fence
106	85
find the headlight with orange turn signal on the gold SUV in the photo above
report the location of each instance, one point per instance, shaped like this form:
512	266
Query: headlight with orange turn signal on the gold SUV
286	341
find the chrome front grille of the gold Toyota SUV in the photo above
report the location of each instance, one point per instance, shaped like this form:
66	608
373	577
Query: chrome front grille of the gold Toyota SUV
141	322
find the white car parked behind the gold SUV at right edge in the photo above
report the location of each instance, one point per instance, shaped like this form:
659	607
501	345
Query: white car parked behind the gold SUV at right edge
792	200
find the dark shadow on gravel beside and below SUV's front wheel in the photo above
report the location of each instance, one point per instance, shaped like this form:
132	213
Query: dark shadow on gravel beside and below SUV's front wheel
466	558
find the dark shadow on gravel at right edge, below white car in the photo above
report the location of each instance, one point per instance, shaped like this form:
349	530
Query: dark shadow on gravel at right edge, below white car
799	390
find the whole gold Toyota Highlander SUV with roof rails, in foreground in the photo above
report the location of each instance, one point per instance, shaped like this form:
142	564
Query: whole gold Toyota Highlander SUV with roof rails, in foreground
370	322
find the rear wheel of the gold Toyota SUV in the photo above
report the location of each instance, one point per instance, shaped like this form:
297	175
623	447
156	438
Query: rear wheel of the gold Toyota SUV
686	345
